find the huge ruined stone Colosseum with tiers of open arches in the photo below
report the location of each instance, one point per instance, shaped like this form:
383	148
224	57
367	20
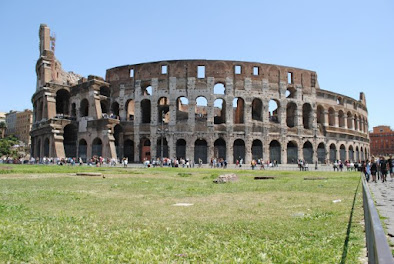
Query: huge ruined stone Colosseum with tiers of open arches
196	109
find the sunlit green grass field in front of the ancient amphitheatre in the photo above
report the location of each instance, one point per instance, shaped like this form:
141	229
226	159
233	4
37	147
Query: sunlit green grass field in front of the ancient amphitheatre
49	215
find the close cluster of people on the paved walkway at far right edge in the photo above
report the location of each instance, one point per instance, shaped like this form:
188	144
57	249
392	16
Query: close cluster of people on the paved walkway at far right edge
378	168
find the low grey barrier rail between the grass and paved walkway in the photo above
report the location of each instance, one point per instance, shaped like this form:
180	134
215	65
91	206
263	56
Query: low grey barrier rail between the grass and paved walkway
377	246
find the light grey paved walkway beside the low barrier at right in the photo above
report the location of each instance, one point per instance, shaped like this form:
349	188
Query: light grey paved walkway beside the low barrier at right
383	194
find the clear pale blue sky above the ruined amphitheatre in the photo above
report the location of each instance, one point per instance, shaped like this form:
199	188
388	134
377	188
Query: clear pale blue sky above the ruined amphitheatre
349	43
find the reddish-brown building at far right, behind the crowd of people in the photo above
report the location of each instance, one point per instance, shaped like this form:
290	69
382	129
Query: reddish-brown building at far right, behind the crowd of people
382	141
